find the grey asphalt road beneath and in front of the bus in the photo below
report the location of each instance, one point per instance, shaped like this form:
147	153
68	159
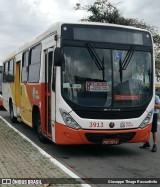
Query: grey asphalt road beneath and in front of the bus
90	161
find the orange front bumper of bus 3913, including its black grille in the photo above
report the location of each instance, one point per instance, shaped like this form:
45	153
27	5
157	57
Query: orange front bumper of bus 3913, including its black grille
65	135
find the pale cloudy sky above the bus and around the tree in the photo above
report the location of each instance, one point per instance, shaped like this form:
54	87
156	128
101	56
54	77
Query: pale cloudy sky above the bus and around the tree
21	20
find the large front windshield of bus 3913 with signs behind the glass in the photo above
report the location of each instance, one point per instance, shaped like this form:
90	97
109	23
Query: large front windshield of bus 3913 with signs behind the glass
123	78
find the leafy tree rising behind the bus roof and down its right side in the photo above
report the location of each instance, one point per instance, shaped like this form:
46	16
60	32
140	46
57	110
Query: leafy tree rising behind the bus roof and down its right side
104	11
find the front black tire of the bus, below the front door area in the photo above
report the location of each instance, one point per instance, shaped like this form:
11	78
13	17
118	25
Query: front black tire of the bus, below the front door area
41	137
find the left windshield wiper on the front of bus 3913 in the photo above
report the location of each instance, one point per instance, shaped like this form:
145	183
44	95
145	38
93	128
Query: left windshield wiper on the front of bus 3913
95	57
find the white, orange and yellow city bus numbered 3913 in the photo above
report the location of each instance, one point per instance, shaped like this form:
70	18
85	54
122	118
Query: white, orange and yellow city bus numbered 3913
83	83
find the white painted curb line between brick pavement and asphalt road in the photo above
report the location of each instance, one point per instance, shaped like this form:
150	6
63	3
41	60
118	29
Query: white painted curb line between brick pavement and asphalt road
53	160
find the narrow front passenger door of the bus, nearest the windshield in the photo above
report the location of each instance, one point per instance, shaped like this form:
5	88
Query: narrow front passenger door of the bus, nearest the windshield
48	90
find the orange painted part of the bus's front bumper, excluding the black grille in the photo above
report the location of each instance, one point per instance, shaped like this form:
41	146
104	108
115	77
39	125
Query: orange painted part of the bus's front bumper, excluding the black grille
66	135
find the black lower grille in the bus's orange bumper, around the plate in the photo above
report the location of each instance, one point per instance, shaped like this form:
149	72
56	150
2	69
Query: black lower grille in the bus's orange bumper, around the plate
98	138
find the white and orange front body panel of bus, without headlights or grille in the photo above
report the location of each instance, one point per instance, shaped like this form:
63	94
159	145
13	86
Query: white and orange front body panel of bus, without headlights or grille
66	135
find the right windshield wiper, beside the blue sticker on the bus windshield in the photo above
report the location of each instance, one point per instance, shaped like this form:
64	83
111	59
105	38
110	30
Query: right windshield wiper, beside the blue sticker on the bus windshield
123	64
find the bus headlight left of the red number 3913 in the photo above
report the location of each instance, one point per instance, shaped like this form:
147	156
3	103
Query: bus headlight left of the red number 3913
69	121
